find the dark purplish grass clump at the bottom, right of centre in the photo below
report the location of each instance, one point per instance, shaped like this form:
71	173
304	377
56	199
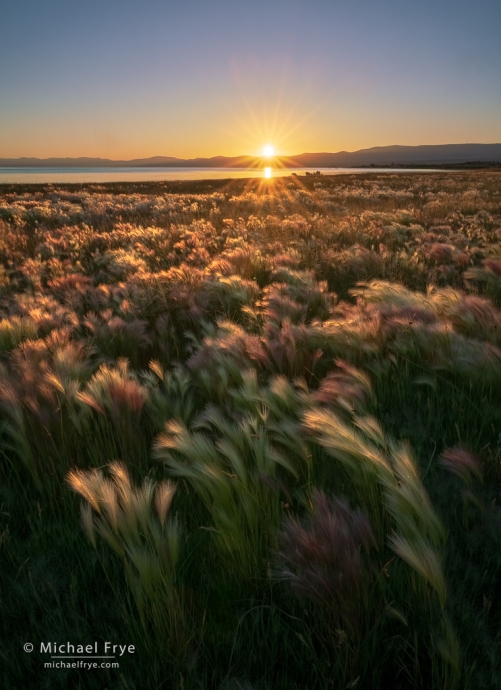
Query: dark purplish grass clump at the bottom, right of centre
326	560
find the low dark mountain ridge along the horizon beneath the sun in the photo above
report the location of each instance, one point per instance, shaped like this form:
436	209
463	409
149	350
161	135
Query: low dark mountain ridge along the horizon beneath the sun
380	155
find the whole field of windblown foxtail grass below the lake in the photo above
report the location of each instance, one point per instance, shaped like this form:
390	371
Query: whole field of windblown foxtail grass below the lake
254	430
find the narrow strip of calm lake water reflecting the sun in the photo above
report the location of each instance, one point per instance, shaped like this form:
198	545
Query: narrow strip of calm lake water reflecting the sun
68	175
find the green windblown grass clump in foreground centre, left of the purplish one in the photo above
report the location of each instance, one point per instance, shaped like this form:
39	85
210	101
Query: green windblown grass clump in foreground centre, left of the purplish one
234	476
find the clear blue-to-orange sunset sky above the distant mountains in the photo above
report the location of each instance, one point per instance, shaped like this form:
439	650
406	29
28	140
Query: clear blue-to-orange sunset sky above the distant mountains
127	79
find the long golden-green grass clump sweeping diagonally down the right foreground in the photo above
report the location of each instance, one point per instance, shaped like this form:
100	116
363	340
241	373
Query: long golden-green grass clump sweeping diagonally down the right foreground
389	488
